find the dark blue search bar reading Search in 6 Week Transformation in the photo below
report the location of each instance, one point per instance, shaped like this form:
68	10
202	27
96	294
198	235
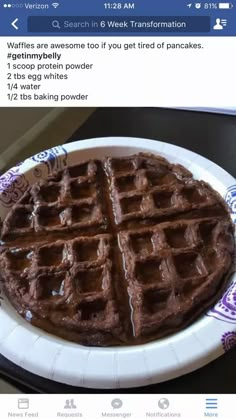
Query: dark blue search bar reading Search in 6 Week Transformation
121	24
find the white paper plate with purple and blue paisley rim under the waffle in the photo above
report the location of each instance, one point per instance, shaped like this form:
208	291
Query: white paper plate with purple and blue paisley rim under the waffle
70	363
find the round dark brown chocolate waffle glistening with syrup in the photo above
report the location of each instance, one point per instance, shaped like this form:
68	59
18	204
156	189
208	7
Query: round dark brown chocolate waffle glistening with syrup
116	252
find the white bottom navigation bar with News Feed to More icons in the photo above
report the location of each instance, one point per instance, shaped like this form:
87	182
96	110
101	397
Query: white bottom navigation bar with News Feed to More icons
137	406
